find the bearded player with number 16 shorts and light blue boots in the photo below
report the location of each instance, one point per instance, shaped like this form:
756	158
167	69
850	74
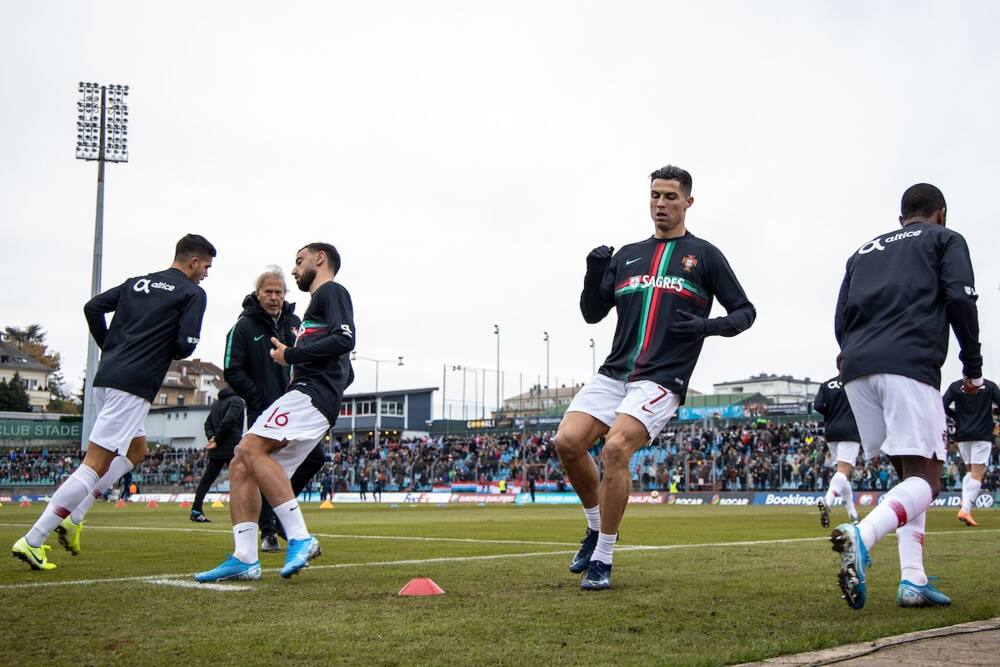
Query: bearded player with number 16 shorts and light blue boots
290	428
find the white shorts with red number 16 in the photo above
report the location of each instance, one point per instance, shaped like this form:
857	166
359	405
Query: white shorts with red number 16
295	420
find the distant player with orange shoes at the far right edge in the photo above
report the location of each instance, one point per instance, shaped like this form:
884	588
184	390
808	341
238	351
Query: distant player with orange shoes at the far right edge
973	415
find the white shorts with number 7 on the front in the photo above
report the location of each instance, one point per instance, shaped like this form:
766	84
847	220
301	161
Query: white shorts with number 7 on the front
603	398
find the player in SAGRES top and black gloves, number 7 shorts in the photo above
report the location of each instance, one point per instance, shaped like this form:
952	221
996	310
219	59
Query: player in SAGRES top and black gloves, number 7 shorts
663	288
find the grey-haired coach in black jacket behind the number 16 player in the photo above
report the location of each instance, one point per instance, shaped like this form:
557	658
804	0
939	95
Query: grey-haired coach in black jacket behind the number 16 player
249	369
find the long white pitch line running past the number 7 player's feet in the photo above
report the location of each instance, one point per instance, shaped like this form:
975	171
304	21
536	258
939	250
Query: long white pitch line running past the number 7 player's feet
461	559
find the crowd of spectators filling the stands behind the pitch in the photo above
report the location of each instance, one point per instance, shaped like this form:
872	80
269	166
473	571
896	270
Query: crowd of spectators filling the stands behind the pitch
744	457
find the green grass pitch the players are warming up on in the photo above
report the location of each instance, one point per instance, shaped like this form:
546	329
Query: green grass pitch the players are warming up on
716	585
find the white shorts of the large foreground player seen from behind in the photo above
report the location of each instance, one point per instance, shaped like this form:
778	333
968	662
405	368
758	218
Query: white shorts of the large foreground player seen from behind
898	416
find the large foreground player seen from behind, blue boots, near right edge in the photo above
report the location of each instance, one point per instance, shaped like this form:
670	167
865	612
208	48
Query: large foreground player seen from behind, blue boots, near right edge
901	292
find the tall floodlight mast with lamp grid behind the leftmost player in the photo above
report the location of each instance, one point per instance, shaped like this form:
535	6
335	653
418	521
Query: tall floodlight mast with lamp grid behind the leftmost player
101	136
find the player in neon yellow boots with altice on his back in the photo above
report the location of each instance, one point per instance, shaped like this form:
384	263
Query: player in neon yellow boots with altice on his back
157	318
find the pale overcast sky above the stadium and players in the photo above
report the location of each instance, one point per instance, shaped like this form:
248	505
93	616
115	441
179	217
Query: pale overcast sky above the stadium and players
465	157
